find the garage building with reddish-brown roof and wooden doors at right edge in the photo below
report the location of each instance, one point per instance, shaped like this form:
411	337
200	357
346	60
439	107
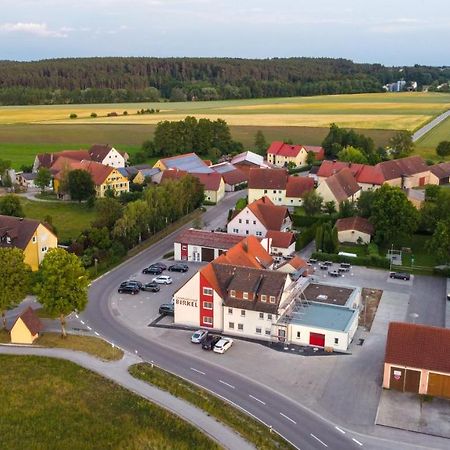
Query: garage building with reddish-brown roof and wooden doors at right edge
417	359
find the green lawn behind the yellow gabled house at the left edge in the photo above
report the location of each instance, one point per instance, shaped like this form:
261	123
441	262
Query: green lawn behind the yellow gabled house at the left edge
70	219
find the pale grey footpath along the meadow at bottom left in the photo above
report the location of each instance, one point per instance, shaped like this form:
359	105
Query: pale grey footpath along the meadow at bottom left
117	371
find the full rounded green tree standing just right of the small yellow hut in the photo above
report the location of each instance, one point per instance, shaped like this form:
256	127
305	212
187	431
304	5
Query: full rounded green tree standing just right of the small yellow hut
63	285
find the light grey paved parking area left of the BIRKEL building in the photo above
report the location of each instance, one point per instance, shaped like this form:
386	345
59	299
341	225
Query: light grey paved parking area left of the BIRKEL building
142	309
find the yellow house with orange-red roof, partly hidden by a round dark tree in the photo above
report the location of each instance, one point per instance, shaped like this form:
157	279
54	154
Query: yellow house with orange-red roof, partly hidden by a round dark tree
104	177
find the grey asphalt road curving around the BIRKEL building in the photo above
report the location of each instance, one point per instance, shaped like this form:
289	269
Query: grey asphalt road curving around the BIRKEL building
301	427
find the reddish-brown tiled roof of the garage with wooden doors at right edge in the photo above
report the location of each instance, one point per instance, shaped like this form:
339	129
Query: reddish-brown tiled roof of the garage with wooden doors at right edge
418	346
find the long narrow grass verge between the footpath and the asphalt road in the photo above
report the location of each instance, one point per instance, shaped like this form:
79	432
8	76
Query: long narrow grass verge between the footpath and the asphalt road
249	428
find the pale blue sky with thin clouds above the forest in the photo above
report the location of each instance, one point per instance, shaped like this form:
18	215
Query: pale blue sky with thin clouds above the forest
390	32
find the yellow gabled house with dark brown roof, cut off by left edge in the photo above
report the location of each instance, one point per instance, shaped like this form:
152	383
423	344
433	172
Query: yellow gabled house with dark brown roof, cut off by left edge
31	236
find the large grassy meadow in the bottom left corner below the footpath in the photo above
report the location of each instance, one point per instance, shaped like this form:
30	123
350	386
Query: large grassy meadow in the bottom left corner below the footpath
50	403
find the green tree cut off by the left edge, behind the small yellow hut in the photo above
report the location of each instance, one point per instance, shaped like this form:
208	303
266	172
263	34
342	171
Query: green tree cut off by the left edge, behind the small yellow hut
14	279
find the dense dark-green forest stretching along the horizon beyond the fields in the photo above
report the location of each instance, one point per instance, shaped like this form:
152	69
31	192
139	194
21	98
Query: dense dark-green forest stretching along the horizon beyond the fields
104	80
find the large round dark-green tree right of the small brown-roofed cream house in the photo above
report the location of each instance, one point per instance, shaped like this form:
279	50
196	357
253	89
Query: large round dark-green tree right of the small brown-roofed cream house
393	215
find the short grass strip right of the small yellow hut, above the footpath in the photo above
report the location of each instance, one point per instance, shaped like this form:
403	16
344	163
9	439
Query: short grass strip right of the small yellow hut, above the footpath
88	344
